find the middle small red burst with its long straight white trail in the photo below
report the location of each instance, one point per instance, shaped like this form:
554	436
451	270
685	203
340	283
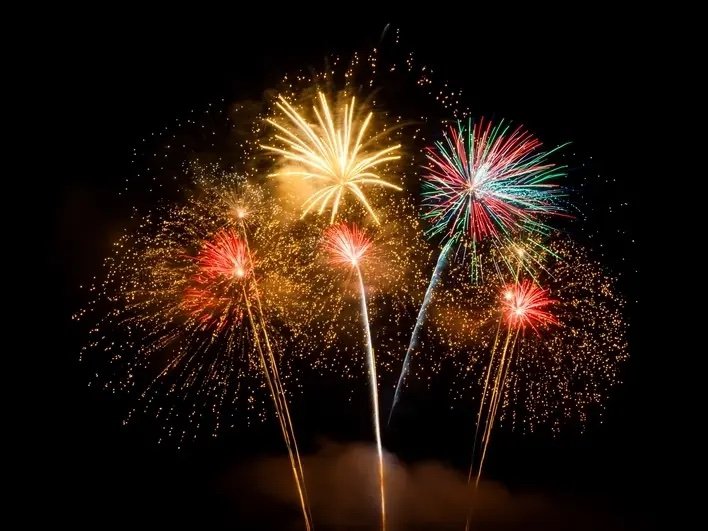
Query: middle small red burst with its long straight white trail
347	246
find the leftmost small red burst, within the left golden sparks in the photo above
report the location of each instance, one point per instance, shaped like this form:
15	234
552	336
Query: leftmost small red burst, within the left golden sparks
225	256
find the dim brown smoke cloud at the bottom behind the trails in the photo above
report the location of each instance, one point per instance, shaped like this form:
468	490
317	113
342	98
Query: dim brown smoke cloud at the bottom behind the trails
343	492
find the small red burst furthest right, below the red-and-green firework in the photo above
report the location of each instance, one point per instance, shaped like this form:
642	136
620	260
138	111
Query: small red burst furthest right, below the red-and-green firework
525	304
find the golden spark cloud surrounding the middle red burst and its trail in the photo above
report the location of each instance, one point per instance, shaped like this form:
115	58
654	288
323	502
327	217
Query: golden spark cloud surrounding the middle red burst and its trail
318	306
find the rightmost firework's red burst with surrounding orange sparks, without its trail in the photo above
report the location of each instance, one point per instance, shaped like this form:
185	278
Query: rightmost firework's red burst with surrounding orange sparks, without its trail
569	357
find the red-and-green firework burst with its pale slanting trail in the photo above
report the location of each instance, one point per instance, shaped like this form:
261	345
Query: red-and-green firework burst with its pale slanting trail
485	182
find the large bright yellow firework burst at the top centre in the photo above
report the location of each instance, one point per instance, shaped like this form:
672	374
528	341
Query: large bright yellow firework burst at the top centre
336	157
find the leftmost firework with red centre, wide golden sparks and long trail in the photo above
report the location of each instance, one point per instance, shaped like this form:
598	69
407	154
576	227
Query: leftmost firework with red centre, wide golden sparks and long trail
184	296
